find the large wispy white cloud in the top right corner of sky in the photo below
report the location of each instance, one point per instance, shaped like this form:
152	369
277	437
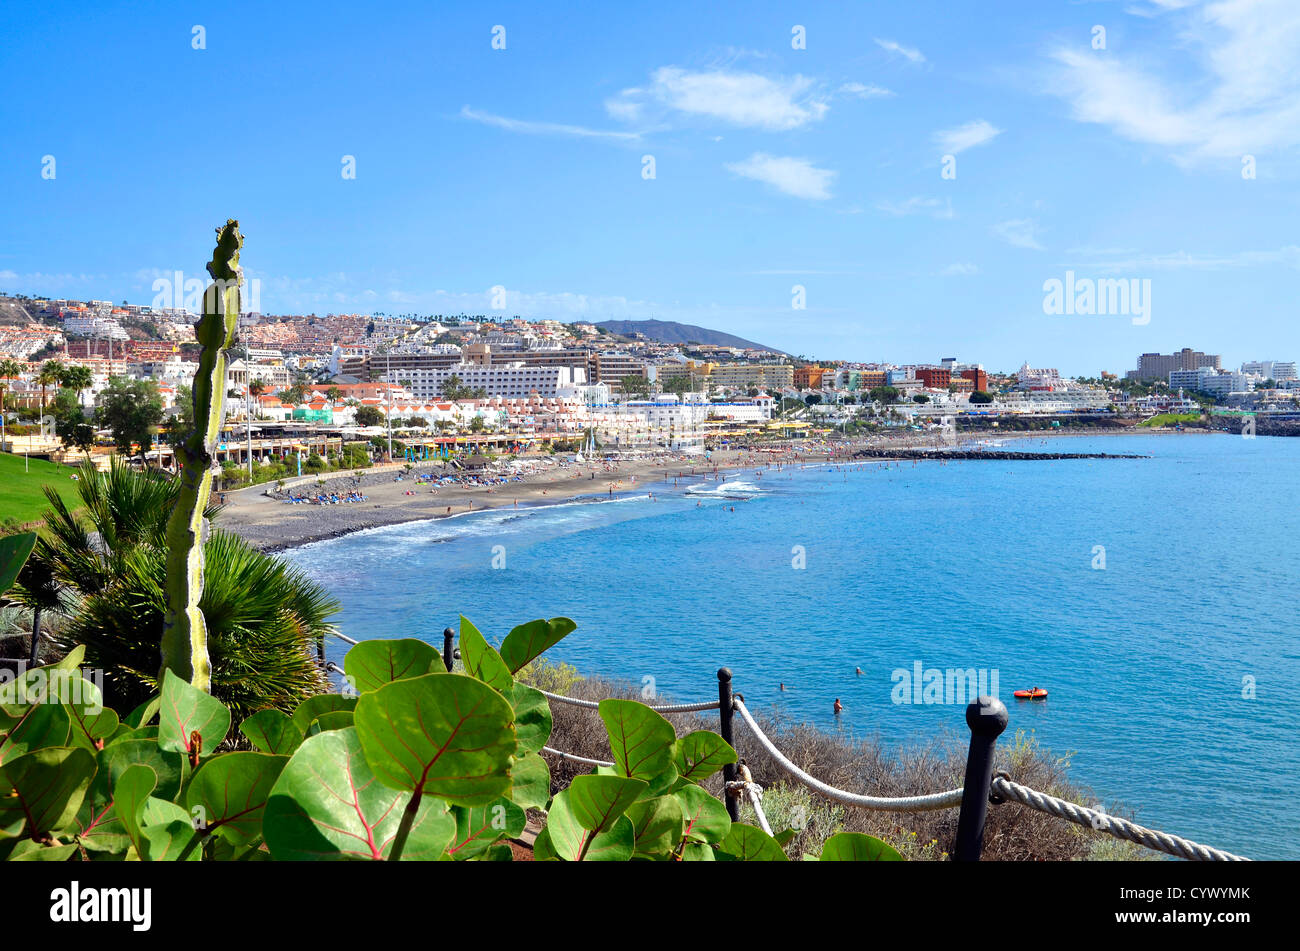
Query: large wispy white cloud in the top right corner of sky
1238	94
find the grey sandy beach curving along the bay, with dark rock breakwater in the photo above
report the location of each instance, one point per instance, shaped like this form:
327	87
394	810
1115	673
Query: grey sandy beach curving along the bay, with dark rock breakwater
270	526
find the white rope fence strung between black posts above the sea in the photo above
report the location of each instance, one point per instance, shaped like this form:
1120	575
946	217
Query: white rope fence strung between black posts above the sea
986	716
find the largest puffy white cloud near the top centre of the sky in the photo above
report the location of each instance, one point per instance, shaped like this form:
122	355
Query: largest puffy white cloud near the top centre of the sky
739	99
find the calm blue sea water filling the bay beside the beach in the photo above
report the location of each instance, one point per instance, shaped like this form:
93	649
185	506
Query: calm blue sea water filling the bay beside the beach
987	566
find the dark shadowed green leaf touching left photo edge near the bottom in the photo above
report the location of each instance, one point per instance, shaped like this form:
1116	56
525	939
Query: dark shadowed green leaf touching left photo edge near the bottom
45	788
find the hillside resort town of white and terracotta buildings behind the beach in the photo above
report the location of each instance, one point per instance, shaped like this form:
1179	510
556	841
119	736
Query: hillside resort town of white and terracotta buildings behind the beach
513	385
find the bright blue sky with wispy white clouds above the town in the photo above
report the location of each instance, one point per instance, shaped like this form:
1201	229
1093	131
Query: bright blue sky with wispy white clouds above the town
774	167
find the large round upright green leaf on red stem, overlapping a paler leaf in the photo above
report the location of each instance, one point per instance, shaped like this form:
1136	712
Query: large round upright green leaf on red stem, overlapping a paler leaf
440	735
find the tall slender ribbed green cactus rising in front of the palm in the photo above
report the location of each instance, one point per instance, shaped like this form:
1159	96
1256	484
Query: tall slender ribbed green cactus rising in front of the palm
185	635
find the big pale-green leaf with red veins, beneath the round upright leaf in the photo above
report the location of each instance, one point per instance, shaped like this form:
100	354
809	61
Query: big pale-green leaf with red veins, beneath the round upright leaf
328	805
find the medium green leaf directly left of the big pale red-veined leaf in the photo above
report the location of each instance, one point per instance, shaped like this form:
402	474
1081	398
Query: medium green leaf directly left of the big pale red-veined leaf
229	793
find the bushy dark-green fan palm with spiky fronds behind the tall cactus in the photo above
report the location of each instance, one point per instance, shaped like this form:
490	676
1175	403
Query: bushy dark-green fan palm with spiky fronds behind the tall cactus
265	616
